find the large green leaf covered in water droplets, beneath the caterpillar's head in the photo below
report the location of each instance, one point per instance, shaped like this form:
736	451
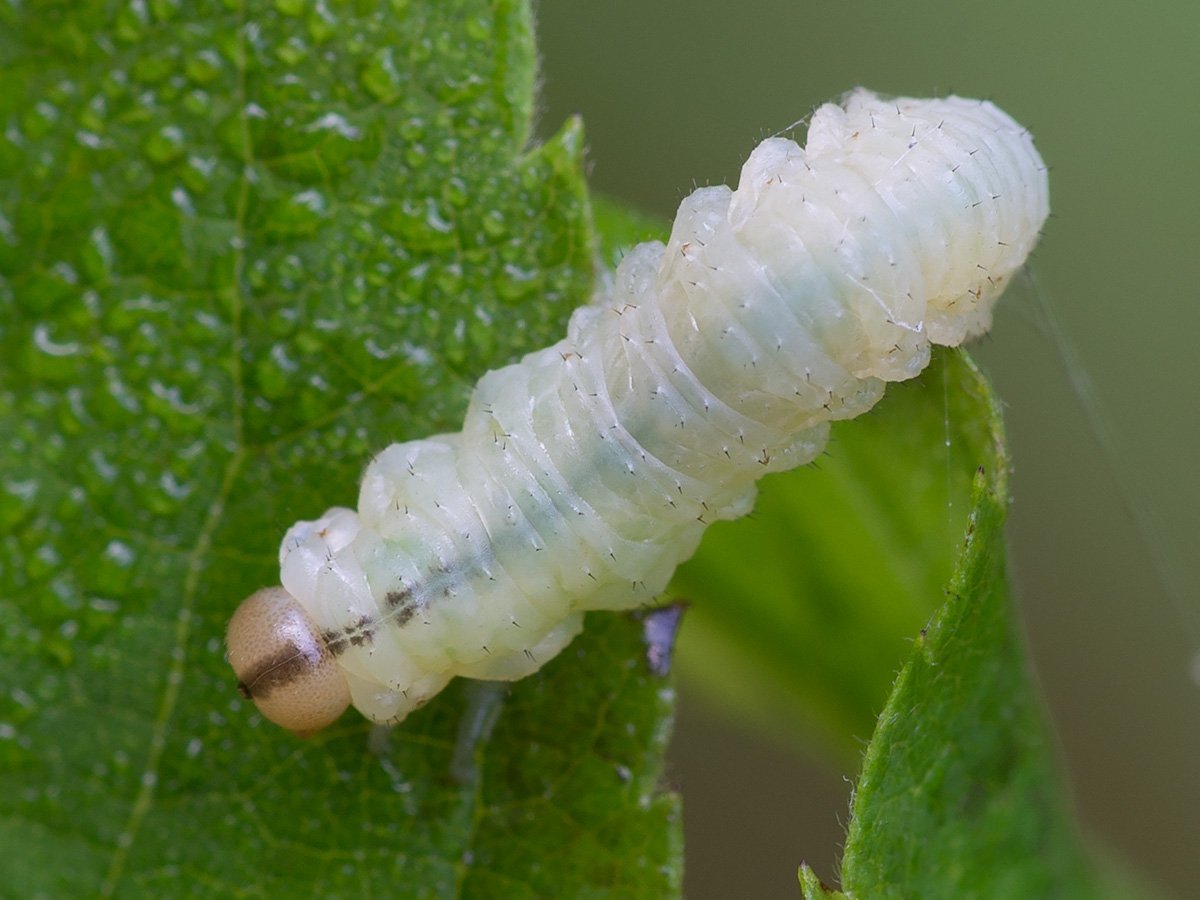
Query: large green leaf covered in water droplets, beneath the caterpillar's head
243	247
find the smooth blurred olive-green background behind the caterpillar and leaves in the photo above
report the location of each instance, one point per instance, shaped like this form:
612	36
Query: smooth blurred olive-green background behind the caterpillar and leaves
675	95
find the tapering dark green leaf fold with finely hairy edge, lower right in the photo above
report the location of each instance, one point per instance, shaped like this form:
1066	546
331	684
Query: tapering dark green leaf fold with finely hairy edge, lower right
959	795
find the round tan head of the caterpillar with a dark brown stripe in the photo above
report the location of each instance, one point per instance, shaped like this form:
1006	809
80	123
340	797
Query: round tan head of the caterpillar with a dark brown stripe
284	665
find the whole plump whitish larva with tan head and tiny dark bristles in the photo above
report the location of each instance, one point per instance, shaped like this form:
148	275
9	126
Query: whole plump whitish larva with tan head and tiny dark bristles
586	473
